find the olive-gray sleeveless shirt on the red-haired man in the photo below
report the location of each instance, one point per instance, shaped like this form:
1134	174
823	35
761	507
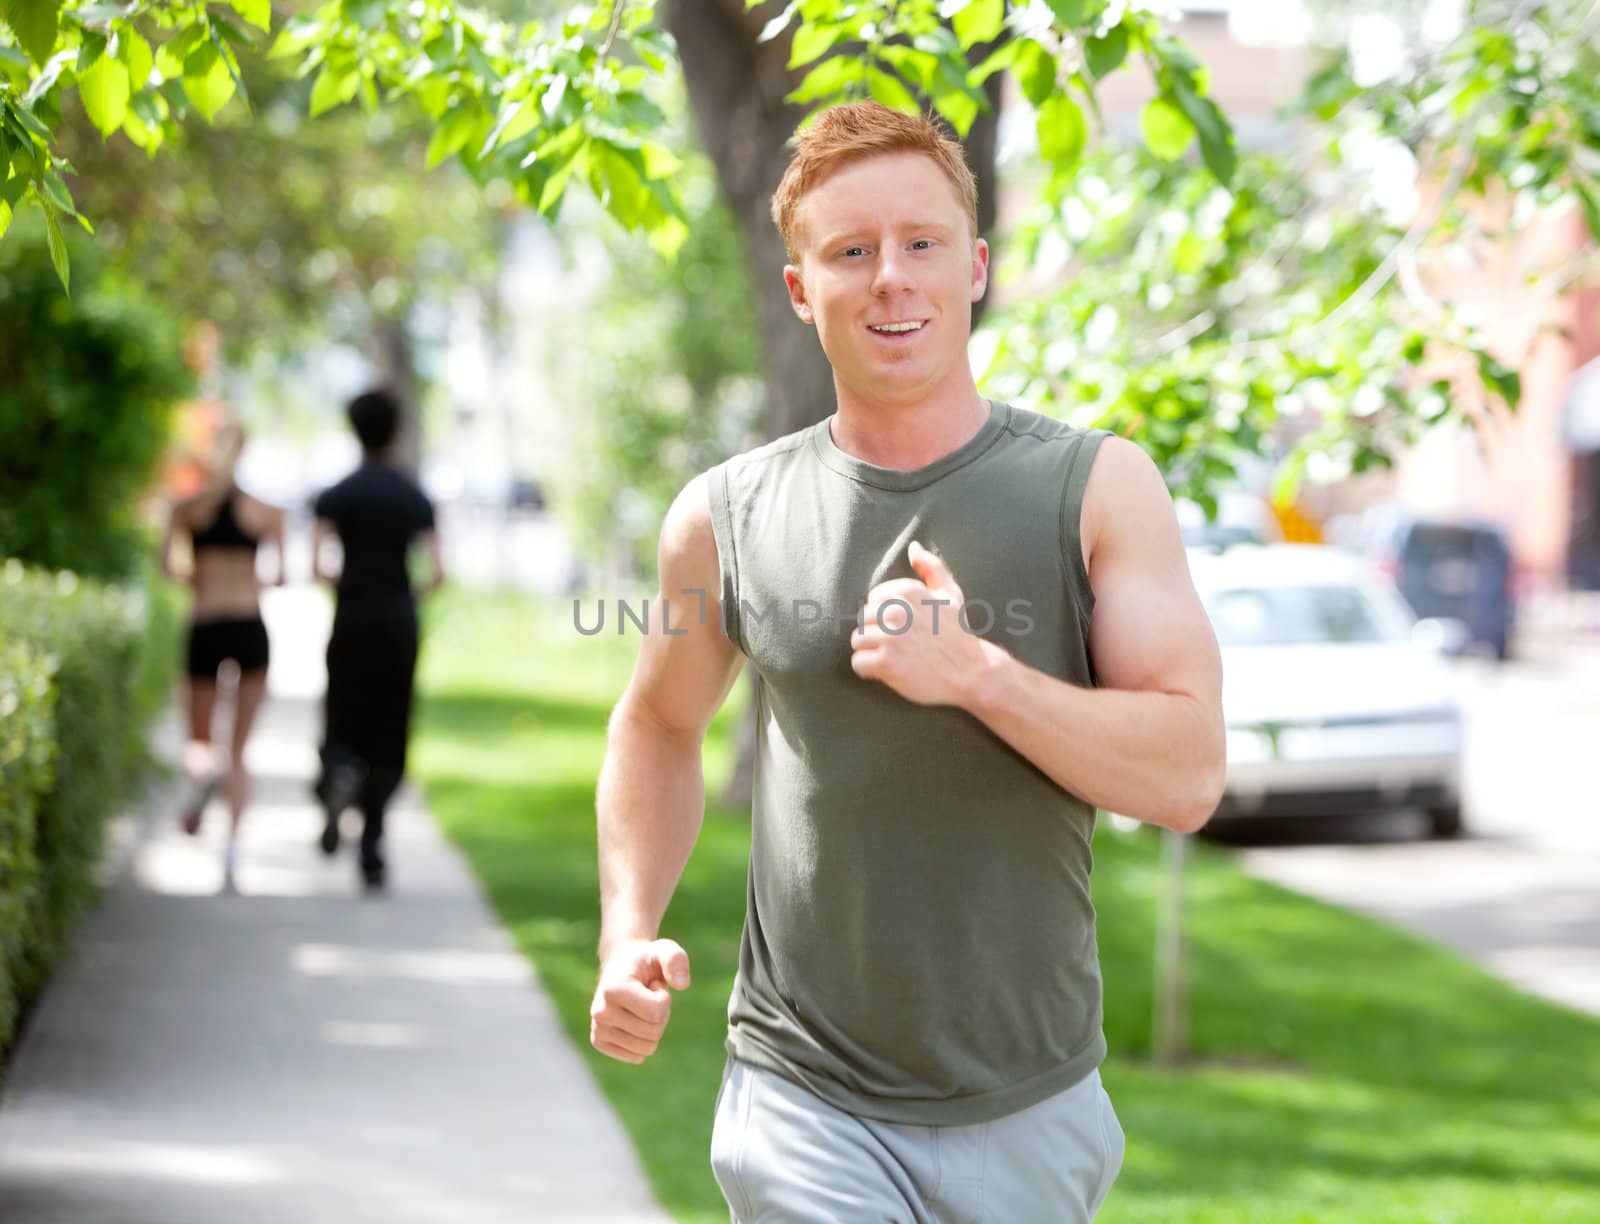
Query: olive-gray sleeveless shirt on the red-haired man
919	942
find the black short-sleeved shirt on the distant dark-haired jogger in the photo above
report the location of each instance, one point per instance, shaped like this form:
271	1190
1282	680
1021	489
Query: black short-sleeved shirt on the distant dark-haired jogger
378	511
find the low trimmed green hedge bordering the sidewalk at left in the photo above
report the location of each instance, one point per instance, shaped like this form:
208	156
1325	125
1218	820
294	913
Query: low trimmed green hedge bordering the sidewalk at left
84	666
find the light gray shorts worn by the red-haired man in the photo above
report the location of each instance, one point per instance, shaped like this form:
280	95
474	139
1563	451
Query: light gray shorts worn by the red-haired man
783	1154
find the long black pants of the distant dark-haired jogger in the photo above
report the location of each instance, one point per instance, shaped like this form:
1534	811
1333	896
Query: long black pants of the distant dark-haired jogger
367	714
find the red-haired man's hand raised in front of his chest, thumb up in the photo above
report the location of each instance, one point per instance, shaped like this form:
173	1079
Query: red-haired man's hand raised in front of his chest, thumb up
924	655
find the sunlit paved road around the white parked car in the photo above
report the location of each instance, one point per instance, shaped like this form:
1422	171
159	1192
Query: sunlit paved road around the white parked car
1521	894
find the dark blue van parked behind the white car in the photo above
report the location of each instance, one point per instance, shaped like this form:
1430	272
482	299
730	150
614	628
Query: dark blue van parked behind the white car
1457	570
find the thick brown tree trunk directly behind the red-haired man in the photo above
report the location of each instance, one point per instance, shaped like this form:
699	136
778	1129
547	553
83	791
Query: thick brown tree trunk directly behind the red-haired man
737	95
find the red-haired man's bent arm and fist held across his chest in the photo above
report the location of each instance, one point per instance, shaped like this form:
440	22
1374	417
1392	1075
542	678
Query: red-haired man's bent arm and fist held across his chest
1150	740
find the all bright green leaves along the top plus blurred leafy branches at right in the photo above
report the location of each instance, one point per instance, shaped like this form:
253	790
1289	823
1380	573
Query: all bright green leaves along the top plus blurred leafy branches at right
1210	297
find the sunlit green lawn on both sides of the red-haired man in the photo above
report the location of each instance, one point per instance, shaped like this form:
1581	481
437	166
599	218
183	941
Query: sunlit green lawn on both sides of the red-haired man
1342	1073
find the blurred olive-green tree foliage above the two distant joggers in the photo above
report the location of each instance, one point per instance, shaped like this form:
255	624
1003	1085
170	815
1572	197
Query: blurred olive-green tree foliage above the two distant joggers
292	230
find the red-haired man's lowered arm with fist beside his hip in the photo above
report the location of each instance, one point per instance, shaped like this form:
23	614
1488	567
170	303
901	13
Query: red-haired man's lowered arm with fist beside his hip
652	793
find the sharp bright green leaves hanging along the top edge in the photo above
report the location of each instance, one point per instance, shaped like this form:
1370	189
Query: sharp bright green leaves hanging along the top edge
548	103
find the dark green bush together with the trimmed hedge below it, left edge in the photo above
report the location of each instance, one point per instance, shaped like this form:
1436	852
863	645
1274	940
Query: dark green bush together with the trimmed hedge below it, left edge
87	386
